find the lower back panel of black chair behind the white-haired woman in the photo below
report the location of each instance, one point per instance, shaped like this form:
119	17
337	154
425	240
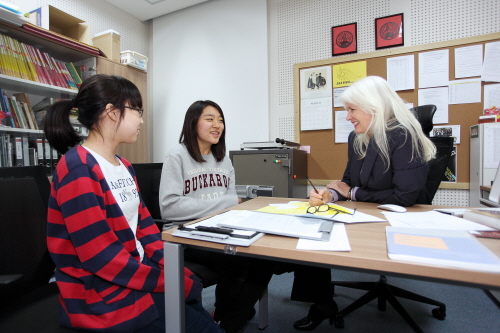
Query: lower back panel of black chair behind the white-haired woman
444	147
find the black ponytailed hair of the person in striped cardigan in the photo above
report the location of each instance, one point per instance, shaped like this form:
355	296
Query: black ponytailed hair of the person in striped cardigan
94	94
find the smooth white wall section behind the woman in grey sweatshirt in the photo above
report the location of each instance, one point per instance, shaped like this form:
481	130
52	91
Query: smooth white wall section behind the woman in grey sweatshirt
218	51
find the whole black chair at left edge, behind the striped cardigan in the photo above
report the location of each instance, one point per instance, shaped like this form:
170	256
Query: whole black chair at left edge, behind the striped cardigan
29	302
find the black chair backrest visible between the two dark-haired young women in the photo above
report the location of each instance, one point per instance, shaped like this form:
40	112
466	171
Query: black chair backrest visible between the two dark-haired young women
148	178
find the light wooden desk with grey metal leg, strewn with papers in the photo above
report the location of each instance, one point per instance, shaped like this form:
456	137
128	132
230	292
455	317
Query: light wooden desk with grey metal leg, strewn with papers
368	253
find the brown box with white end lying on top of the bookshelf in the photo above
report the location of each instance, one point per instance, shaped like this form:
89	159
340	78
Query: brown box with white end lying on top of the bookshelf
53	19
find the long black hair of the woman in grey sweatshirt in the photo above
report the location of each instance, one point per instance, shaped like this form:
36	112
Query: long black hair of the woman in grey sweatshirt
189	134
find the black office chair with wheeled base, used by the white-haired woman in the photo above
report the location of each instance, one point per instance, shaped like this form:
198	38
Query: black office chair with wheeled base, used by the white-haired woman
381	289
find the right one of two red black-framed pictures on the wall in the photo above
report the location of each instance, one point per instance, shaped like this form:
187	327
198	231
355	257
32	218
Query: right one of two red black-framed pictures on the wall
389	31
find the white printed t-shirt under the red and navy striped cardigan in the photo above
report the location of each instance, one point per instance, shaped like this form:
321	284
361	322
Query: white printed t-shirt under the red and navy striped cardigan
124	190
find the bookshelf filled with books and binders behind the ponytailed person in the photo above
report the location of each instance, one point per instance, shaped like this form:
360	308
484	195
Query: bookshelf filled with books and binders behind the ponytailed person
23	143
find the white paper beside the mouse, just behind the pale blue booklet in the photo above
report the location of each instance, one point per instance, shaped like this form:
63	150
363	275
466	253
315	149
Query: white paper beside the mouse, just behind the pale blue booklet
432	220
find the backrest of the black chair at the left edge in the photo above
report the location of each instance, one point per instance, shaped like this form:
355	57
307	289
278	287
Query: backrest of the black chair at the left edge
24	196
